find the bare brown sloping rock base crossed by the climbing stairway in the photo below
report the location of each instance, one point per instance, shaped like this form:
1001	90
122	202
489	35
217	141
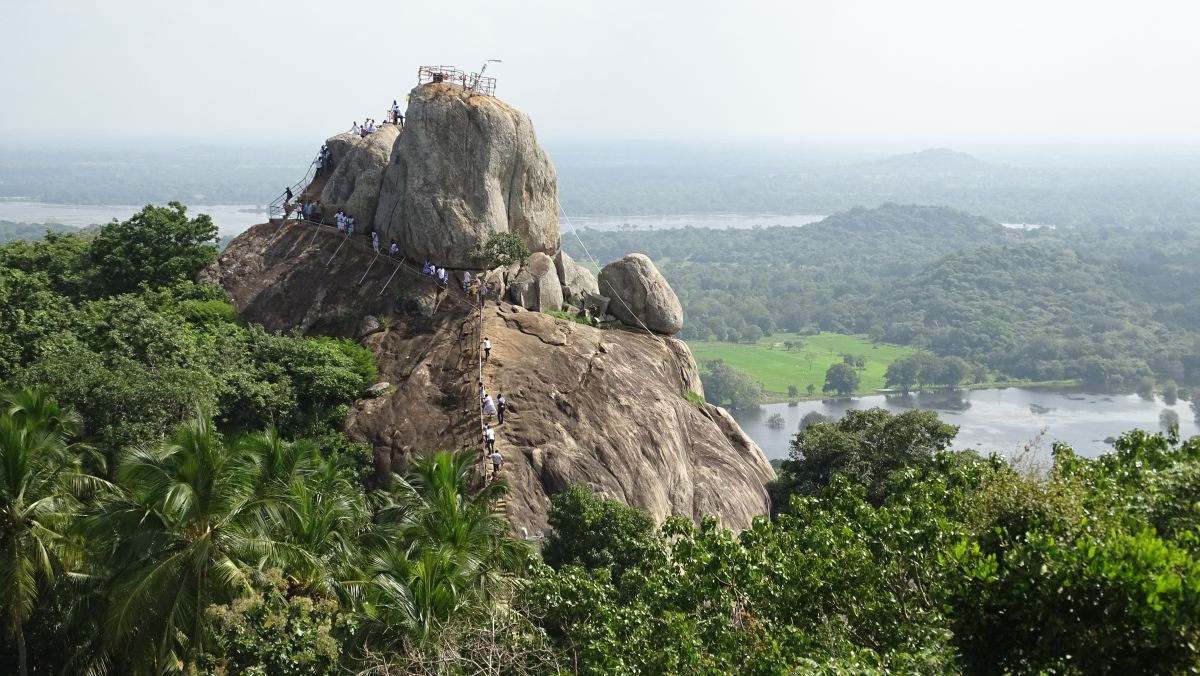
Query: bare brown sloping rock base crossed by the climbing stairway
598	408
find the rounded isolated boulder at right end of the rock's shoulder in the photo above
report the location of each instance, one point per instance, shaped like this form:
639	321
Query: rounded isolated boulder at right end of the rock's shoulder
641	295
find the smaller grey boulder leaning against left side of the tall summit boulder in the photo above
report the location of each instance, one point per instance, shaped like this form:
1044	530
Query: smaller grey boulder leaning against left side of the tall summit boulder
358	166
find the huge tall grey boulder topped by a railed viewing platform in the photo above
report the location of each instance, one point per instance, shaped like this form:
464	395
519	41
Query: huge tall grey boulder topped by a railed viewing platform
464	169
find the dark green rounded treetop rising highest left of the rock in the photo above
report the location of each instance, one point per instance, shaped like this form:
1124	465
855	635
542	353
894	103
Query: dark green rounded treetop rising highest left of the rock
158	247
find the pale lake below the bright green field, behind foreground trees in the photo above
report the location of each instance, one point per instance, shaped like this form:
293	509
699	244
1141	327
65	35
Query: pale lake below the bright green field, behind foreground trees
1003	421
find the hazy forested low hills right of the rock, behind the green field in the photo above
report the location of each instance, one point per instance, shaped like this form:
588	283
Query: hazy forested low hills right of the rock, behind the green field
1109	307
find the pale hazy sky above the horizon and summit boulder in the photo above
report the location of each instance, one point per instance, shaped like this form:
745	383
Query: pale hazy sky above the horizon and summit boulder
916	74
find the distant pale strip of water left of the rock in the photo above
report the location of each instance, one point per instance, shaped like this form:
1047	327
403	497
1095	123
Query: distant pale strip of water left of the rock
230	219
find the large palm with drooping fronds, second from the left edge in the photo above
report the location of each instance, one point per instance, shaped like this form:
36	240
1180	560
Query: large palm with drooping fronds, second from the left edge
189	531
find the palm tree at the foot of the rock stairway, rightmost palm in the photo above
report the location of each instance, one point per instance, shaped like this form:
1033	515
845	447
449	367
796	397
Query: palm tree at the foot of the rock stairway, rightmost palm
448	553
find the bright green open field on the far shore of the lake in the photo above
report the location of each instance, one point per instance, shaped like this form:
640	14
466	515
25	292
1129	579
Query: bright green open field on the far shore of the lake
777	368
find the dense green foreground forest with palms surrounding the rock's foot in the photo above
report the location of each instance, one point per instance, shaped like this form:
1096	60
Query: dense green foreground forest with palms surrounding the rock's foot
177	496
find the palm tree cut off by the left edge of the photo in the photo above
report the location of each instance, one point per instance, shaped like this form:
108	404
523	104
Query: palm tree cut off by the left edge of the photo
40	481
